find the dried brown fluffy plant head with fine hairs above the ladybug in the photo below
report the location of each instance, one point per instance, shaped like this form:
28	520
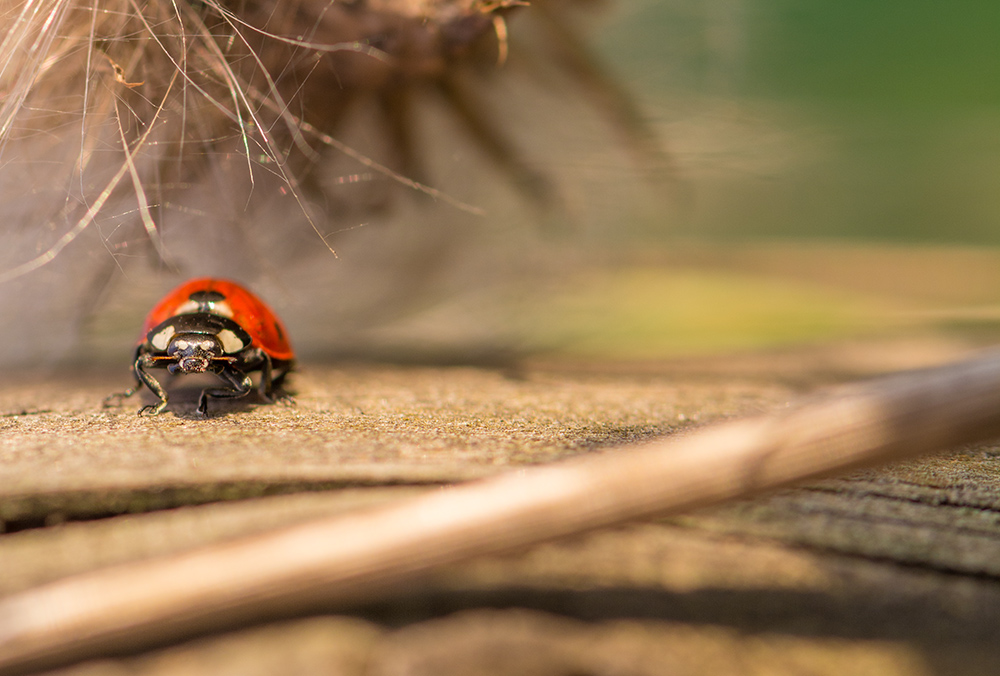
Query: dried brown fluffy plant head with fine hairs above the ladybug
203	137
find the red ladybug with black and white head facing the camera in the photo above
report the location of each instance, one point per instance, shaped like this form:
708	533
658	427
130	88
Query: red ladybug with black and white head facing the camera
211	326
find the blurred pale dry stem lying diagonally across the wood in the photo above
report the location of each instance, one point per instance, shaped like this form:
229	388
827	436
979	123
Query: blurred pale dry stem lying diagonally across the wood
332	562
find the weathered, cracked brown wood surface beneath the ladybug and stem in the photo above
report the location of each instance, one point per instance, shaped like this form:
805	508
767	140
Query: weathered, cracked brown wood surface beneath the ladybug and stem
888	571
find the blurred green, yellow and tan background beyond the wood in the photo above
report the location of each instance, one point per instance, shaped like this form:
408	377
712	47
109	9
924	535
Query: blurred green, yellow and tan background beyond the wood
835	180
